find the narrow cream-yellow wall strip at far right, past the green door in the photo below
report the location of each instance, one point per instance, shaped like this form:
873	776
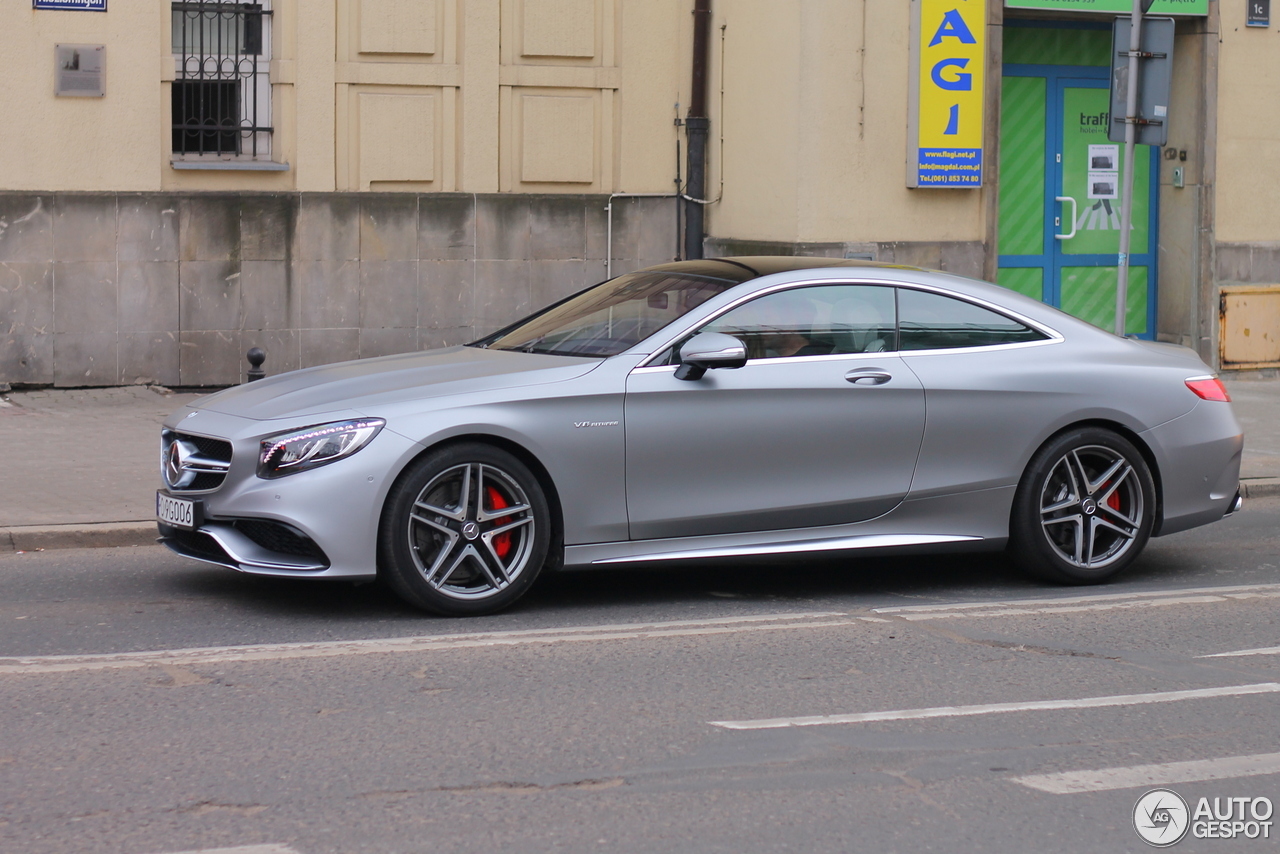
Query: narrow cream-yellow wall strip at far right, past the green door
1249	130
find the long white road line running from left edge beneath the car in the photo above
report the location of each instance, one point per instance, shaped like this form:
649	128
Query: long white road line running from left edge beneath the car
420	643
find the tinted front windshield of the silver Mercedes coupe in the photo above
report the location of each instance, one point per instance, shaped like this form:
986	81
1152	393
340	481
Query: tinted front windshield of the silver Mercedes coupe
610	318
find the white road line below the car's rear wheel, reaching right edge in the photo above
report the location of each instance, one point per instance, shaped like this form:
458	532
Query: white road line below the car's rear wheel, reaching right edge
1075	605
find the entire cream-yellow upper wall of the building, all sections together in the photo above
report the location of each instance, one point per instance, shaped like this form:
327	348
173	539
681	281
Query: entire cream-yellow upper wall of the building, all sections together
572	97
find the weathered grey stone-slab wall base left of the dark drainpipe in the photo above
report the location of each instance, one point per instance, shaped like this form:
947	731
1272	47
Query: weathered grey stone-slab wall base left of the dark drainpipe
168	289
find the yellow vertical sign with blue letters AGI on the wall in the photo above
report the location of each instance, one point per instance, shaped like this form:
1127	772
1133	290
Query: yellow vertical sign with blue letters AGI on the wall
949	63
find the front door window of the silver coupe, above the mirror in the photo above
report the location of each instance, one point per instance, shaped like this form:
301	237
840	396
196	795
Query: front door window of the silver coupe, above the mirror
813	322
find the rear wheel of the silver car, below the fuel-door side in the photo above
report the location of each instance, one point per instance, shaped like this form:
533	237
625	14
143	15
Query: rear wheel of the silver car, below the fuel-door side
1085	508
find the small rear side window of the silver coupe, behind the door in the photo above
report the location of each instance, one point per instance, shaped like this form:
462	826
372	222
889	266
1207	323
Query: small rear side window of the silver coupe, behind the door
934	322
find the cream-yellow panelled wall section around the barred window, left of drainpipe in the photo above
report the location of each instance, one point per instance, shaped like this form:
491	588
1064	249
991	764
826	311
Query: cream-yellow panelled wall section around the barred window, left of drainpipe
385	95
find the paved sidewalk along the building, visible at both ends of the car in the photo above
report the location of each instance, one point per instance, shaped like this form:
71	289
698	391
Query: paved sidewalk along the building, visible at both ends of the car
80	468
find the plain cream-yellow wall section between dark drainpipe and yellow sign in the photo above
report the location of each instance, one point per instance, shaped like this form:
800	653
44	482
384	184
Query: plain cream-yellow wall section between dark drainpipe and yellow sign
816	131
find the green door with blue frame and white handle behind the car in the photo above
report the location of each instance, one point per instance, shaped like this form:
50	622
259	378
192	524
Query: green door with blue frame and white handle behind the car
1060	182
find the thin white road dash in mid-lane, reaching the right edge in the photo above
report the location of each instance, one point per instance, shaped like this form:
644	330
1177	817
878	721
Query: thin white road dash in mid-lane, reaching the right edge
996	709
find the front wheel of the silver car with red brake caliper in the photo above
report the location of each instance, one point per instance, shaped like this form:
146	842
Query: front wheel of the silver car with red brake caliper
445	544
